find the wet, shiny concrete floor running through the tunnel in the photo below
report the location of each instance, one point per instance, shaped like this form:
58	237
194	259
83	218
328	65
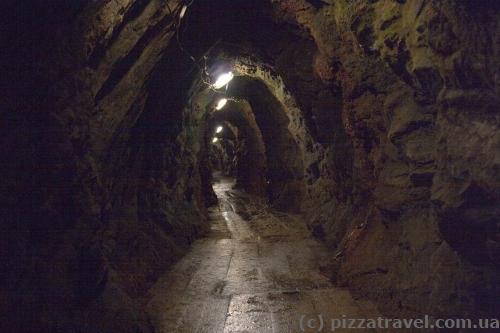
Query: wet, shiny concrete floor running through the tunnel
257	271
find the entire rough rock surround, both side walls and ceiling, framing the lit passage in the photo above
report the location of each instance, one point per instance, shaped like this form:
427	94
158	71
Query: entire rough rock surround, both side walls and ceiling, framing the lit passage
391	104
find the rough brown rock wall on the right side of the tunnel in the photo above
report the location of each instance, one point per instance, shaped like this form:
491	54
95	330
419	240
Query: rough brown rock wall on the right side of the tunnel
416	223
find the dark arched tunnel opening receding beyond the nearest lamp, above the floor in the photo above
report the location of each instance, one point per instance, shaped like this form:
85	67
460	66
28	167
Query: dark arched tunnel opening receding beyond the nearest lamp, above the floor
248	137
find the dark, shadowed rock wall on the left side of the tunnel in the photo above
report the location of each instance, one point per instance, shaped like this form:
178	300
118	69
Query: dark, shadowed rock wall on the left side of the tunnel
96	201
